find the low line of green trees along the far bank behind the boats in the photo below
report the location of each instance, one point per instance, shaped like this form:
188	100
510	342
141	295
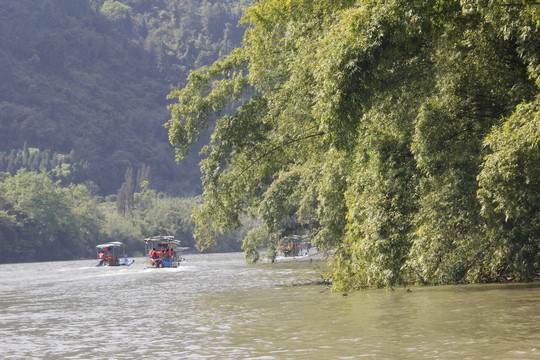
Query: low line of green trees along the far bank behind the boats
40	220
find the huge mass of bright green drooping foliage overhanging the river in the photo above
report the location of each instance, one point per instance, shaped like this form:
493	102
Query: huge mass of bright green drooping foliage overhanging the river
401	134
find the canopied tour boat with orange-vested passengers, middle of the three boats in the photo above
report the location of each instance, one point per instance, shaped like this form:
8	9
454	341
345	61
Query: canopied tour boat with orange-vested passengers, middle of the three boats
163	252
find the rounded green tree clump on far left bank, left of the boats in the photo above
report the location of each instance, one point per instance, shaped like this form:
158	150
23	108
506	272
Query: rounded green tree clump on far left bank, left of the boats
42	221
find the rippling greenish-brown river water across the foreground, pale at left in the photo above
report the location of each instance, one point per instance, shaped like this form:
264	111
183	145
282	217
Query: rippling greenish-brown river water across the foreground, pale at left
215	306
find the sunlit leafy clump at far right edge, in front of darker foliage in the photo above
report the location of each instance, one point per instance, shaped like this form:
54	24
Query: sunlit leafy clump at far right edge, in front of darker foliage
509	194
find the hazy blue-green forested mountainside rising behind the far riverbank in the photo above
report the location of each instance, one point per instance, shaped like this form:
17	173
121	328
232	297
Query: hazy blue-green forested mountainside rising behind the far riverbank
88	79
